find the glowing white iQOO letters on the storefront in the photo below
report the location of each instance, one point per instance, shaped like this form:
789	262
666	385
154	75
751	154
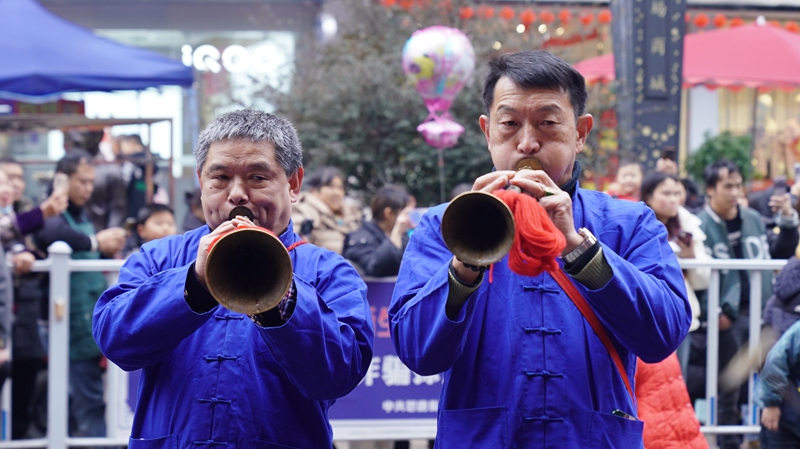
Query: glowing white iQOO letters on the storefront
234	58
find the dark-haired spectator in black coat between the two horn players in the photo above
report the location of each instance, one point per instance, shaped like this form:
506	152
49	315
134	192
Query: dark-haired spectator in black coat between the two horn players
376	248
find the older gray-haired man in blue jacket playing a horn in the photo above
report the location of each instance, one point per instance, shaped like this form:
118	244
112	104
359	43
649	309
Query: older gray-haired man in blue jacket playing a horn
214	377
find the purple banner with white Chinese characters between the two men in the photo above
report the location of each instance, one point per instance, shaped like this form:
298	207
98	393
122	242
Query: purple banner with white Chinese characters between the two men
389	390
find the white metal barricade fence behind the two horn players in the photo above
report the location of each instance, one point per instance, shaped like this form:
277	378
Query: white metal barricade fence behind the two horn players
60	265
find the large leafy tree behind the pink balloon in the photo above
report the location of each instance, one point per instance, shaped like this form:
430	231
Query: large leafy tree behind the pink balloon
354	109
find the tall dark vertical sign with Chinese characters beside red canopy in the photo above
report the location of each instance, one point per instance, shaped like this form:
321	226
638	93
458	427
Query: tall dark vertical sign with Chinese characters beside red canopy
648	58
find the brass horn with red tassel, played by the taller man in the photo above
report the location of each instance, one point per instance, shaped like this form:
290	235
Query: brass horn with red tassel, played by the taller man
478	227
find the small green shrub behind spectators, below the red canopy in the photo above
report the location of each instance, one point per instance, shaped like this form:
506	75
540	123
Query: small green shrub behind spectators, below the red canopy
722	146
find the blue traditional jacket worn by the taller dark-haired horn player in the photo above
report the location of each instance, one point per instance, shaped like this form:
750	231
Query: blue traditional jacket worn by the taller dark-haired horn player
522	367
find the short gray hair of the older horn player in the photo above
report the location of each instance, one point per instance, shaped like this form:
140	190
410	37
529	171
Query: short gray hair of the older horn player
257	126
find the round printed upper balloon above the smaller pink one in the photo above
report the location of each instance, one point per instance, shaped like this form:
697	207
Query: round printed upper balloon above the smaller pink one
438	61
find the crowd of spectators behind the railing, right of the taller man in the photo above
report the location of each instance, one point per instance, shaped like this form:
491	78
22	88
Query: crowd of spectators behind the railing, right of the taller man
725	223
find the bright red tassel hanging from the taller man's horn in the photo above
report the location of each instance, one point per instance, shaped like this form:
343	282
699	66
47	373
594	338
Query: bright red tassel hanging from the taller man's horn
537	241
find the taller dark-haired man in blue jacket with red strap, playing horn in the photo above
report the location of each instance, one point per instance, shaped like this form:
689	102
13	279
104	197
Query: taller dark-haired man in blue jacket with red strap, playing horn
523	366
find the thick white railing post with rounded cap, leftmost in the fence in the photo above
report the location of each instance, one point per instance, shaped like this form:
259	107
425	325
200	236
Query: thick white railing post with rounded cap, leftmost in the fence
58	352
